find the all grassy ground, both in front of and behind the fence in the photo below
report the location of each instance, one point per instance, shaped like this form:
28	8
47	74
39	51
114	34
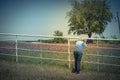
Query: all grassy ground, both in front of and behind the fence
29	68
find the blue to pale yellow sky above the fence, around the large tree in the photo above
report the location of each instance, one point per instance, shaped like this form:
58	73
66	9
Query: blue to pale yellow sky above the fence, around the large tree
43	17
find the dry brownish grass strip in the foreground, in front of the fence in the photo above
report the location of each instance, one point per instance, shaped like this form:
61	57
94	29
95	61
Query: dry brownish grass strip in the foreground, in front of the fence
21	71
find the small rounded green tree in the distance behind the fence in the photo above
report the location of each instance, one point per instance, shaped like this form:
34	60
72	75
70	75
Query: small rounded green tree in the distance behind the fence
59	40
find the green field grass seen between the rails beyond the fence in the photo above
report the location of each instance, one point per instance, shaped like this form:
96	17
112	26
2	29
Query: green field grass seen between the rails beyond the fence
64	56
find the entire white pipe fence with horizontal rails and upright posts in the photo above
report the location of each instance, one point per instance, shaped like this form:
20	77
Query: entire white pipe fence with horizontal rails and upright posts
68	51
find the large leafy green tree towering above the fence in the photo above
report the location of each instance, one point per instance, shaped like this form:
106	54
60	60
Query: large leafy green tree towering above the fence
89	16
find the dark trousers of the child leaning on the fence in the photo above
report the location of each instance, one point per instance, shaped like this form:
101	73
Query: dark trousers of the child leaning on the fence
77	57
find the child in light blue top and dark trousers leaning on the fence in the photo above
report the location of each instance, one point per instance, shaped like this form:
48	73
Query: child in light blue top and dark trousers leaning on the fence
78	52
